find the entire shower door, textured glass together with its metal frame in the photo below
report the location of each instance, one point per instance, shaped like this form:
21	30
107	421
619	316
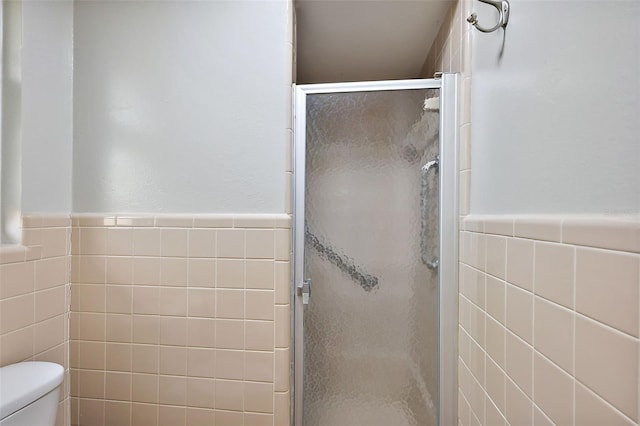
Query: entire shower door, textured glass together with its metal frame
375	253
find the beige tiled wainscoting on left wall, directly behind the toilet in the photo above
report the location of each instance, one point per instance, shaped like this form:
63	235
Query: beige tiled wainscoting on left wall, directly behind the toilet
34	298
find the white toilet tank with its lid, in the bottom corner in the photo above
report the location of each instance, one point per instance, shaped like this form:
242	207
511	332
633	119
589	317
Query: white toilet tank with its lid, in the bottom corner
29	393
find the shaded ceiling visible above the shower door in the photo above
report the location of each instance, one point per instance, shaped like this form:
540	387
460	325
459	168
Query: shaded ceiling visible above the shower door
359	40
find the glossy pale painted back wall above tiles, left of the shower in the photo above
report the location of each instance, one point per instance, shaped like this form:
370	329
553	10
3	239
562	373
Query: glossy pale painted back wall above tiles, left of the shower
181	106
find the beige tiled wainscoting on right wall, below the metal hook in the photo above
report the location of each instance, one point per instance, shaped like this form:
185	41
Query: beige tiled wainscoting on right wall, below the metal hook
549	320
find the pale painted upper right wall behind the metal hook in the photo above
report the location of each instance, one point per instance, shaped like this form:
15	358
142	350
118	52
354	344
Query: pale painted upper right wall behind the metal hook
555	120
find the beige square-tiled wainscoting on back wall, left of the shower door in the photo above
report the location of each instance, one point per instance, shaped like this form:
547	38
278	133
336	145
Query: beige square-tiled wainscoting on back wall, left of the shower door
180	320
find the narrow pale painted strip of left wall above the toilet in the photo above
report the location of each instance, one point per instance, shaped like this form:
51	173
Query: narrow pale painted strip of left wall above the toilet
47	108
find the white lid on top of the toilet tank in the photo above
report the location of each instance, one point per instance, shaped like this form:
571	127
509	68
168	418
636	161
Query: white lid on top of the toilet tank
25	382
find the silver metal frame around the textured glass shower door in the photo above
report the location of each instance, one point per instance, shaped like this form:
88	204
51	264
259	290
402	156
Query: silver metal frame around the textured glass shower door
448	239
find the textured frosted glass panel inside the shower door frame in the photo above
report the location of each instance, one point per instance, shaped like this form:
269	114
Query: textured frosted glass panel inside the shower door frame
370	329
